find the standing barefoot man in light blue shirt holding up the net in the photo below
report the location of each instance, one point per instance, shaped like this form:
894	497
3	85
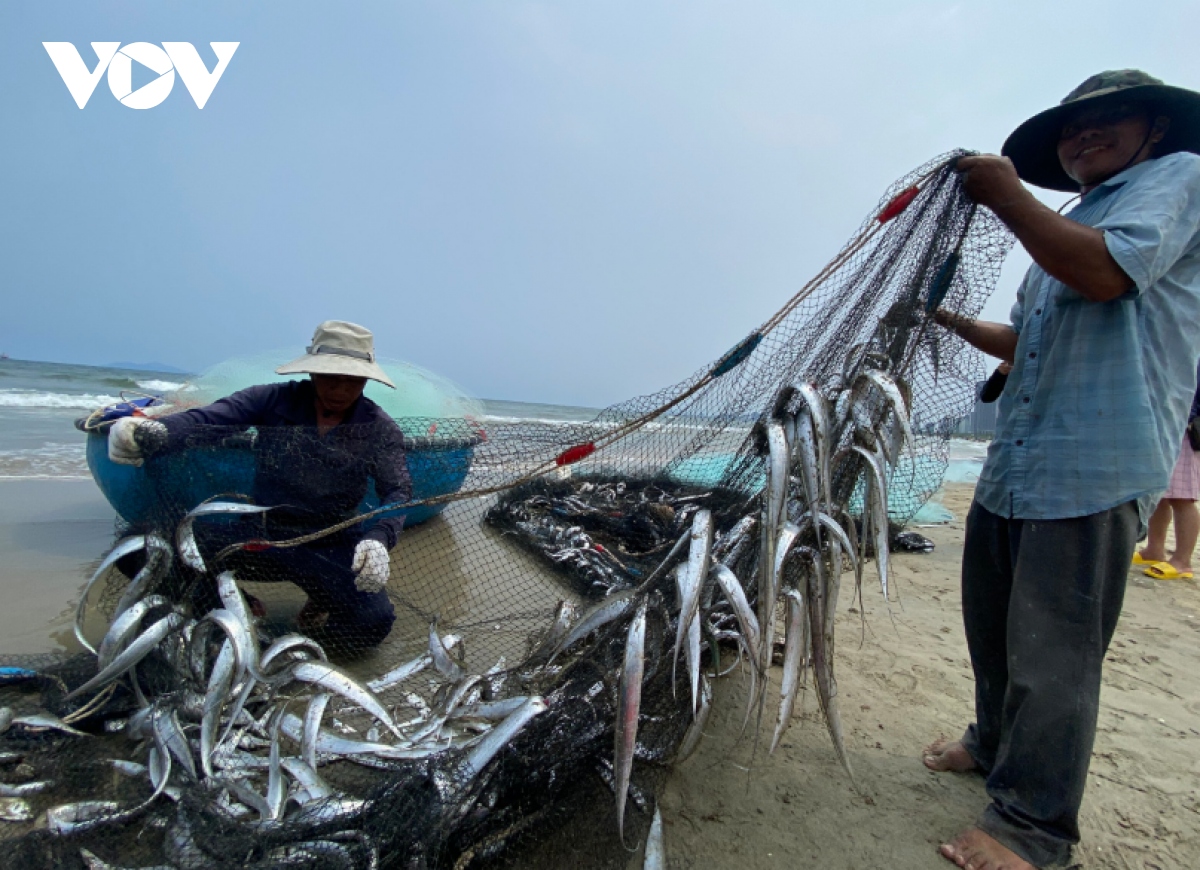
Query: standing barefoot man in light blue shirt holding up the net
1103	343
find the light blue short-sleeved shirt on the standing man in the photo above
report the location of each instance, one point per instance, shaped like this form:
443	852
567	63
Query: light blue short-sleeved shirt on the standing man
1095	409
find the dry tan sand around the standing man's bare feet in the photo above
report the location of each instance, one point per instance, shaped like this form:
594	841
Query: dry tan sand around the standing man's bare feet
908	682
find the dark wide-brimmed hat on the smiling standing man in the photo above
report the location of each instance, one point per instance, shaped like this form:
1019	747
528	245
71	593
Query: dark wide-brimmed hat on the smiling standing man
1034	147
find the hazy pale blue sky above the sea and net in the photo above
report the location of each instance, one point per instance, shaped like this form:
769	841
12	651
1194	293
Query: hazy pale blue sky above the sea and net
562	202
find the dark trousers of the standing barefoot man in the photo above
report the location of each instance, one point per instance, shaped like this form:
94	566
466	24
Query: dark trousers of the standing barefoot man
1041	601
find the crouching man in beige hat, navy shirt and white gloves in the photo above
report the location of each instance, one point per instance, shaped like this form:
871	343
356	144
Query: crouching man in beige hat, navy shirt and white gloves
319	443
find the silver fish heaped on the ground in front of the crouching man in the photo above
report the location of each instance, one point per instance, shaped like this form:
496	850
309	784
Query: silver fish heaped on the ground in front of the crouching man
254	723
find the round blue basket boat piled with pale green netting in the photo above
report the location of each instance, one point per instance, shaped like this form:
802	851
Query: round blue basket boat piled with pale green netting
439	421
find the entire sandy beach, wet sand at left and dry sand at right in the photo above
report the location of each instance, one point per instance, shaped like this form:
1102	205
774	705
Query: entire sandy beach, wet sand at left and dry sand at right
904	679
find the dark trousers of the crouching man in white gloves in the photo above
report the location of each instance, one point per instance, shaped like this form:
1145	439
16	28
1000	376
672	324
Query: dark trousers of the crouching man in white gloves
358	621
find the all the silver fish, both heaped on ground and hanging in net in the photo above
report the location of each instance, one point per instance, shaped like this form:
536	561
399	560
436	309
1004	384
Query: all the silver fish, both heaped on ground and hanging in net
254	723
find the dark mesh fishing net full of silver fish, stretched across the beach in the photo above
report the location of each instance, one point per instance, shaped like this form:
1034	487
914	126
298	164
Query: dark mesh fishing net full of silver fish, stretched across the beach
557	605
